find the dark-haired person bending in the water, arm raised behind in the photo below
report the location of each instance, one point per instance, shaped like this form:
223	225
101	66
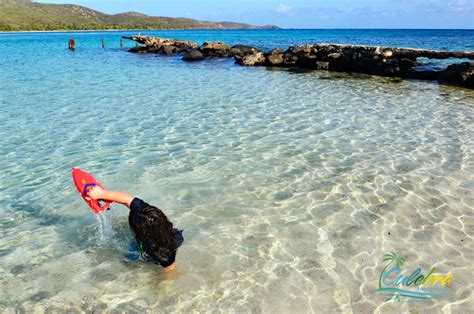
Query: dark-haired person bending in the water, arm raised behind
155	237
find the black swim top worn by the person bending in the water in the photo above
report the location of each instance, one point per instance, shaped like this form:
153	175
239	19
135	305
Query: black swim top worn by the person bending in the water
136	254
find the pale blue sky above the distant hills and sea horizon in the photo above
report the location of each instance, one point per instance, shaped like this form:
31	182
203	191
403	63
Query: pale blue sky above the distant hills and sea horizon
304	13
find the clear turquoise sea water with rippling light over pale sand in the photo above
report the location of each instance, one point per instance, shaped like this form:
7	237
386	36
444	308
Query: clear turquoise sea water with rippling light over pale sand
290	186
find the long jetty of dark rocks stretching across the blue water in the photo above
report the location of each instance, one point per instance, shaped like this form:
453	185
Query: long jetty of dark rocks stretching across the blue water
382	61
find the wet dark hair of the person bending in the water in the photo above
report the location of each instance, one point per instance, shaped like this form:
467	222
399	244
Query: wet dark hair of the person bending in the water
154	234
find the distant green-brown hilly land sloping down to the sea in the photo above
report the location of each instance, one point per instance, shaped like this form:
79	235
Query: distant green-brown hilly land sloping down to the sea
26	15
